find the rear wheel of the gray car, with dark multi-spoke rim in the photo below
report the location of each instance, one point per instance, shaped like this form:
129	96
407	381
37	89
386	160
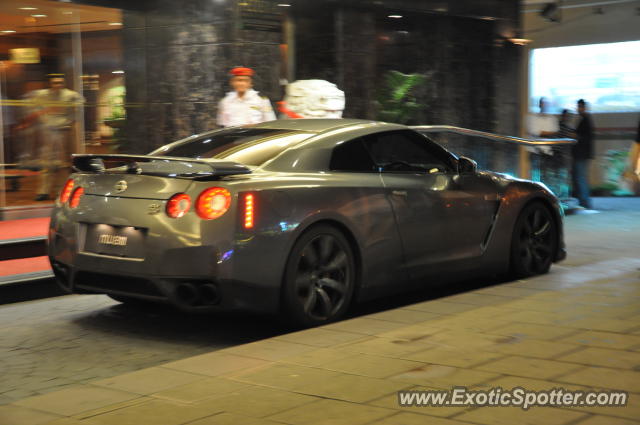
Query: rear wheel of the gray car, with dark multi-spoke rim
319	278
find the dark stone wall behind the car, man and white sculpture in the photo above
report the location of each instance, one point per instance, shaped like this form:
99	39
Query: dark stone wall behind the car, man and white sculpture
177	55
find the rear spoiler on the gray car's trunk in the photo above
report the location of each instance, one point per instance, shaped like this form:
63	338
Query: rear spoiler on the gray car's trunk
165	166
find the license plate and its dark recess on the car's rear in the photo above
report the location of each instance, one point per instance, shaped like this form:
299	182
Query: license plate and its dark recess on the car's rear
119	241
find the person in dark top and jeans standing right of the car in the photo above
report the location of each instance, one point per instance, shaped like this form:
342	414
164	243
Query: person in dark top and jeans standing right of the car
582	153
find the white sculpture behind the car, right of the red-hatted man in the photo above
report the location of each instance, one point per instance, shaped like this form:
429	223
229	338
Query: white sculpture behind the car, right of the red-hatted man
312	99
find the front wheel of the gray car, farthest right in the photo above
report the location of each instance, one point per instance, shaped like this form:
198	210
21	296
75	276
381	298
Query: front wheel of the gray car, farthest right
534	241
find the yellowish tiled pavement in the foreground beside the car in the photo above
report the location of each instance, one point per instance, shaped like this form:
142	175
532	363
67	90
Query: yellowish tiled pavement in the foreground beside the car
575	328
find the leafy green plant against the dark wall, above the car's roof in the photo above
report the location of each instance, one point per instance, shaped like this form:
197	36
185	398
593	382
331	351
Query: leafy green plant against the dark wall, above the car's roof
396	100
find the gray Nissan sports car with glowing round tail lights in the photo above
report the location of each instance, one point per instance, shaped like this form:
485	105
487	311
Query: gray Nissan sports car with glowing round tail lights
296	216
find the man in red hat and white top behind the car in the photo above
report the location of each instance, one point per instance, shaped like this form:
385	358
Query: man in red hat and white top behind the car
243	105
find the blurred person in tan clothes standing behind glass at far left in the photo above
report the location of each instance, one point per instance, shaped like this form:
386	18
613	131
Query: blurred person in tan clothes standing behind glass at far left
54	114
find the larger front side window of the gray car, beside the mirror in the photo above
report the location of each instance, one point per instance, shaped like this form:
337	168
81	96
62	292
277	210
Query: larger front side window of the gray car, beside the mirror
405	151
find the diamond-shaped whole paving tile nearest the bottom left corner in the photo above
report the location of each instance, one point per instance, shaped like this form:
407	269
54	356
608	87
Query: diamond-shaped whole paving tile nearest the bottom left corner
76	399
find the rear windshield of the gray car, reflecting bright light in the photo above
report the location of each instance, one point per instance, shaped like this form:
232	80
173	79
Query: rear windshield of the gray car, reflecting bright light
249	146
